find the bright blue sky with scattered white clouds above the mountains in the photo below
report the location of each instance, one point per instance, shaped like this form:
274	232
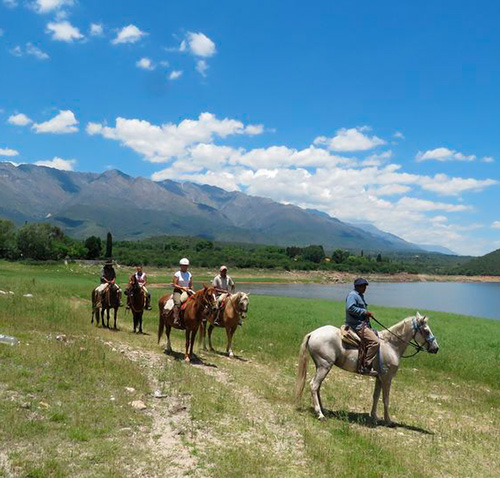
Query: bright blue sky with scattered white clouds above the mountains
377	112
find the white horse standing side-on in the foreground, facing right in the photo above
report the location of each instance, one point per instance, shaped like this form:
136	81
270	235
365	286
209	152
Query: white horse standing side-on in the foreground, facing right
327	349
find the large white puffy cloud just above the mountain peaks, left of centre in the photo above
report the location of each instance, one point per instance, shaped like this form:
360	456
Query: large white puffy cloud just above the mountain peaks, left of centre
162	143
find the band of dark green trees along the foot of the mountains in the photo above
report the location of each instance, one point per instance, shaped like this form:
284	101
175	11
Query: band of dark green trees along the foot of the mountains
42	242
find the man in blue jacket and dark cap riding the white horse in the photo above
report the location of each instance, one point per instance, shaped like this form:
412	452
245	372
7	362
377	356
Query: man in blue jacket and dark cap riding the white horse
358	318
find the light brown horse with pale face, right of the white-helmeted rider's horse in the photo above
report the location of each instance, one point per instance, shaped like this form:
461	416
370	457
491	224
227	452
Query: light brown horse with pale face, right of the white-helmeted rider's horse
236	307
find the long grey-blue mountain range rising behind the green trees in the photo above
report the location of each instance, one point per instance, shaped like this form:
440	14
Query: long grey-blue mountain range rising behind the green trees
85	204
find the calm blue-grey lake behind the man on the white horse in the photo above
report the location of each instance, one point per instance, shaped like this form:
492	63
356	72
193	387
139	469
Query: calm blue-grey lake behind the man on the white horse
478	299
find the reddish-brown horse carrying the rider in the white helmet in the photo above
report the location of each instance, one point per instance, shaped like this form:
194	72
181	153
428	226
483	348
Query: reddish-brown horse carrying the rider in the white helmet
200	304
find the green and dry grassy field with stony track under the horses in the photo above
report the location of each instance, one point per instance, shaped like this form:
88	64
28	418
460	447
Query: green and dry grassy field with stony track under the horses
66	404
